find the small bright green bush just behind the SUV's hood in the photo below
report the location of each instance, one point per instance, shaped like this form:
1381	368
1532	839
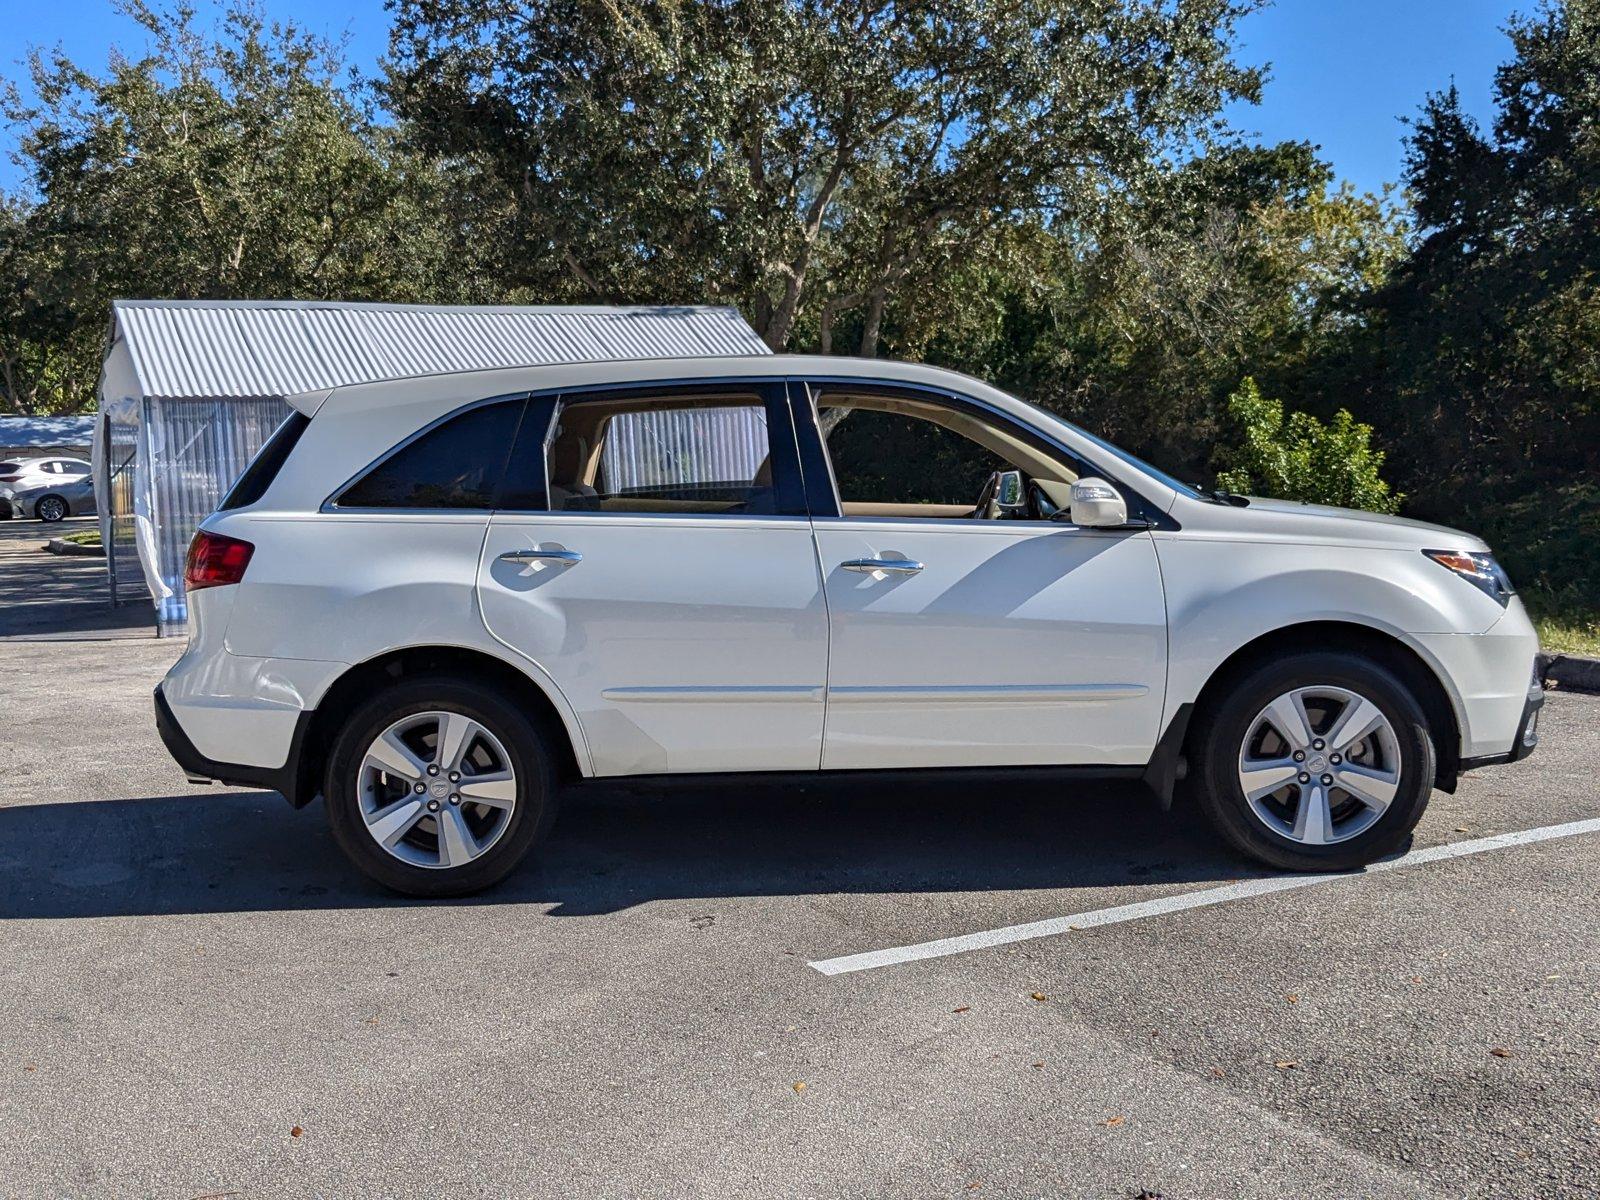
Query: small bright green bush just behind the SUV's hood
1302	458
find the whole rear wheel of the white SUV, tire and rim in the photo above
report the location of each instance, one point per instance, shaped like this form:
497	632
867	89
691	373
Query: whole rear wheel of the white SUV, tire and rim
439	788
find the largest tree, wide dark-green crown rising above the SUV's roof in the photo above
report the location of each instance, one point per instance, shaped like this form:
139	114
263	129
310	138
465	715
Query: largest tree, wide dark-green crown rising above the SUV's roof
806	159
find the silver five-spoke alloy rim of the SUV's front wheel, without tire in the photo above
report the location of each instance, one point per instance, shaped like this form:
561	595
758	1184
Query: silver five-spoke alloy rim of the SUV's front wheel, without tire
1319	766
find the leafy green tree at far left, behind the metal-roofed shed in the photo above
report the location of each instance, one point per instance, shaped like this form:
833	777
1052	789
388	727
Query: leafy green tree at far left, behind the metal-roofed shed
215	167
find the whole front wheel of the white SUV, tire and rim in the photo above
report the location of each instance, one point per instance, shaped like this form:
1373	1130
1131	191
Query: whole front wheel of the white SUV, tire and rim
1316	762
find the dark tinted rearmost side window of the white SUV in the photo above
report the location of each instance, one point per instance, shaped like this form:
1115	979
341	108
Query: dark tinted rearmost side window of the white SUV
457	465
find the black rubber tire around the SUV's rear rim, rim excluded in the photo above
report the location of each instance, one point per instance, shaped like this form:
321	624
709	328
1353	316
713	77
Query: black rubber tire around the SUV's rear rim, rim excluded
526	743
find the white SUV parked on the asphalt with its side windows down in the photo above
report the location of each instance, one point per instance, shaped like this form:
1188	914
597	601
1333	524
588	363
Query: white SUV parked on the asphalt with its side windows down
434	601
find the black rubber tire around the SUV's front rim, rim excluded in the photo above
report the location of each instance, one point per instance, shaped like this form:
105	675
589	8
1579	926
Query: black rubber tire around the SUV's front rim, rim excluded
1223	730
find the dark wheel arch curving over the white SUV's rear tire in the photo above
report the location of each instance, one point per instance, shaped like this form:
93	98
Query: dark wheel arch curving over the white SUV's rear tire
322	724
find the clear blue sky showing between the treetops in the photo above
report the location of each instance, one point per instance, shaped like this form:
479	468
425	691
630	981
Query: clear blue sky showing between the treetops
1343	71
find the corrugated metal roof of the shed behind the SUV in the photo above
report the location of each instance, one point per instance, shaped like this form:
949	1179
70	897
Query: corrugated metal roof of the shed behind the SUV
249	350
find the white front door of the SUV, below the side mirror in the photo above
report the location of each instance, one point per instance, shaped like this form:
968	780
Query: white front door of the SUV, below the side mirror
966	642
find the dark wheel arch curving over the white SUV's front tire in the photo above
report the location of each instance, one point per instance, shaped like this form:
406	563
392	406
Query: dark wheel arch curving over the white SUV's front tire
1423	678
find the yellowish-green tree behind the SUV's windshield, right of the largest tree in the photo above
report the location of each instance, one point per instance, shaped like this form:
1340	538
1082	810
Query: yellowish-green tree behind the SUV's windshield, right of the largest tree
1244	262
